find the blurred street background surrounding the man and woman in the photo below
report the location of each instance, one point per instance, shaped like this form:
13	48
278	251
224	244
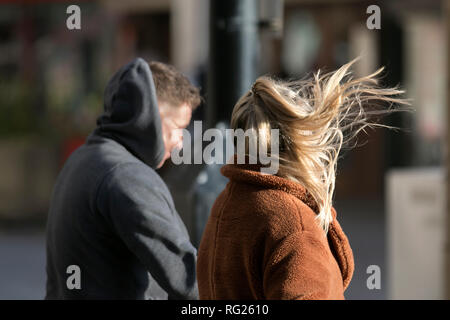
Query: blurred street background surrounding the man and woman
391	192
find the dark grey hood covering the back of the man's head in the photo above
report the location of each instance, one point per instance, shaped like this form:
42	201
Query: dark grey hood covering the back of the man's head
131	114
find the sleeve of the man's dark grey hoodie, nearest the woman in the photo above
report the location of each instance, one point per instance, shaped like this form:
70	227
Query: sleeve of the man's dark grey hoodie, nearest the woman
138	205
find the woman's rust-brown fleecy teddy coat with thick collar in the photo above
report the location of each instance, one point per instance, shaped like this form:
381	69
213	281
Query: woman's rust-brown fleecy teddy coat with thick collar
262	242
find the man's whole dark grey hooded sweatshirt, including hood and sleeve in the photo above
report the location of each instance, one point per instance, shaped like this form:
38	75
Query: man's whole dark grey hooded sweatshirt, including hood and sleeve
113	231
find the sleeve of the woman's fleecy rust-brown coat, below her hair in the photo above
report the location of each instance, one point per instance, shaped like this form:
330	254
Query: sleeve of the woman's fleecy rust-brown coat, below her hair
296	269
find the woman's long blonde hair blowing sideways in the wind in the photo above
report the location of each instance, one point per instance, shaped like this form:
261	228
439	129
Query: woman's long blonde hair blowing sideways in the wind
316	117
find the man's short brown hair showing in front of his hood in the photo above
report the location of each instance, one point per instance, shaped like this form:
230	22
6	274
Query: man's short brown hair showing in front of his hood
173	87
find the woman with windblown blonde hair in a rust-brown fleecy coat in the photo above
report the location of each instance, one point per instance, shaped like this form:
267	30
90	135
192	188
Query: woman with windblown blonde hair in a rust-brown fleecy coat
276	236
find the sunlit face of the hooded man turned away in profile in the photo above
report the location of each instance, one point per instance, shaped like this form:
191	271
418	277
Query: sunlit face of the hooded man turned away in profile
173	120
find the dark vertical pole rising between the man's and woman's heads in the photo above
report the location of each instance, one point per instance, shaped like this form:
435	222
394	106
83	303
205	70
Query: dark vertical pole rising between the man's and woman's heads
233	56
